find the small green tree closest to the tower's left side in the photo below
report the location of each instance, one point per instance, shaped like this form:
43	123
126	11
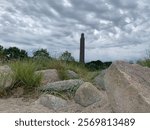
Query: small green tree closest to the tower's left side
66	56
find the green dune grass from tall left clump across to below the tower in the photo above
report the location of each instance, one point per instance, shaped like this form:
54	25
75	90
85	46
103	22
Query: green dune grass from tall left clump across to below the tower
24	71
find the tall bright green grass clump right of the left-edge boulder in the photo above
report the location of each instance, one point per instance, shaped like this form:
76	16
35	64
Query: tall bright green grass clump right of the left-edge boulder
24	74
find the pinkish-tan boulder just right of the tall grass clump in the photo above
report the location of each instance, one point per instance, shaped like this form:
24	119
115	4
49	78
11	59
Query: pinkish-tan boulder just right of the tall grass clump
50	75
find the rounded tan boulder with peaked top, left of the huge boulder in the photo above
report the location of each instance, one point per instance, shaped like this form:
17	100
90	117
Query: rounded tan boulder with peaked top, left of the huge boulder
87	94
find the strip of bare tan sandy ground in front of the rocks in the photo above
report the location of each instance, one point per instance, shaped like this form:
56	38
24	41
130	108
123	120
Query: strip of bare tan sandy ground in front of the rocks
23	105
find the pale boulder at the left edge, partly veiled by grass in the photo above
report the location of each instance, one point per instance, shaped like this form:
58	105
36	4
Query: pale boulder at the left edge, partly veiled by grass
6	79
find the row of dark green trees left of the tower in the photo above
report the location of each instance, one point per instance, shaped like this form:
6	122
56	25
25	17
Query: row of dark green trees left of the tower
14	53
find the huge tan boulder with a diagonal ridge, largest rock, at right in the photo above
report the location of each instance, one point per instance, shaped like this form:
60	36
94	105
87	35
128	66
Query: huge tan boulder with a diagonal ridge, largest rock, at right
128	87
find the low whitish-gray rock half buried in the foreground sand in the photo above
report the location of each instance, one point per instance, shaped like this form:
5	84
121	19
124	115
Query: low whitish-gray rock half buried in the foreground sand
52	102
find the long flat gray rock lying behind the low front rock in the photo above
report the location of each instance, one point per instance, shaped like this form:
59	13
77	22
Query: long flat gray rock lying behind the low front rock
62	85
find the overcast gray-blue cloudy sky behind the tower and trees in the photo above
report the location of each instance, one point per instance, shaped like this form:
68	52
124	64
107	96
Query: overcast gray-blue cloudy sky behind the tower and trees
114	29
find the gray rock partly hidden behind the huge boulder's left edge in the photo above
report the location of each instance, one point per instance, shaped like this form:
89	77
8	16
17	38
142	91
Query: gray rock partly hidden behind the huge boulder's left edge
99	80
